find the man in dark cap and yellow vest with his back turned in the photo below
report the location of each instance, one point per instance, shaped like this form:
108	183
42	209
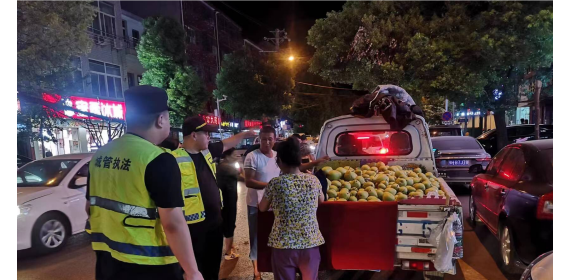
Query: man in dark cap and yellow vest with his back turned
134	201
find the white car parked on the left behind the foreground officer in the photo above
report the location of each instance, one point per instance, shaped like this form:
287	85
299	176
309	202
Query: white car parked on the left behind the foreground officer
51	201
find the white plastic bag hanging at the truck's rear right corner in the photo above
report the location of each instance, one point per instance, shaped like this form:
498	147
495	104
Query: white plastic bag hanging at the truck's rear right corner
443	238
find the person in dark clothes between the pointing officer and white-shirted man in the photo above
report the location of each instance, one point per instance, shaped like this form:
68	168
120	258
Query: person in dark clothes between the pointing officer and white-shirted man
228	175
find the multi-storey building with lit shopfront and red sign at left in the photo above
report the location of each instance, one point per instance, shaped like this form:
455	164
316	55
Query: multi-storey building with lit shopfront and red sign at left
103	75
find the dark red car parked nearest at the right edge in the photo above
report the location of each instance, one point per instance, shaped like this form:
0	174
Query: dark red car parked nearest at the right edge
514	199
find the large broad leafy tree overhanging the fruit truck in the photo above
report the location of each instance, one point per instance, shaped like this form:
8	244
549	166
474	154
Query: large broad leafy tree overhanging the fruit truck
474	53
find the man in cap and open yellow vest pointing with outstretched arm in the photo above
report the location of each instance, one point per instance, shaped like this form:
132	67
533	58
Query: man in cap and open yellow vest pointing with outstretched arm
202	197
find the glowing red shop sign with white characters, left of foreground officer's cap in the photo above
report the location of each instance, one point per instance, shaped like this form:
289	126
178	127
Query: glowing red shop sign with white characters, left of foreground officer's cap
106	108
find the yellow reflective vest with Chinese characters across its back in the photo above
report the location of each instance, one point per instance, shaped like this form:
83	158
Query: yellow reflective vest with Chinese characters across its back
123	218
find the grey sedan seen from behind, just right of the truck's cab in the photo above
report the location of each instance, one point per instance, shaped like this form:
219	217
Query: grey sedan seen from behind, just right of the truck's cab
455	154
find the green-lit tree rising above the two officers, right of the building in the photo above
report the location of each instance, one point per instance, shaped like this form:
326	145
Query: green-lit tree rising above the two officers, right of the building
162	52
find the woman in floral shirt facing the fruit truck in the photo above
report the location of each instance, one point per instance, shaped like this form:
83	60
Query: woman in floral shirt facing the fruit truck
294	197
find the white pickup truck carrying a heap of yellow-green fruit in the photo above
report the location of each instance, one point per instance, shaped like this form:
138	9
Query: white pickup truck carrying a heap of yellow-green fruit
348	138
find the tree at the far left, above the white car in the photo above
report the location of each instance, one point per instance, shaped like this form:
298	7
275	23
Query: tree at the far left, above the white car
51	34
